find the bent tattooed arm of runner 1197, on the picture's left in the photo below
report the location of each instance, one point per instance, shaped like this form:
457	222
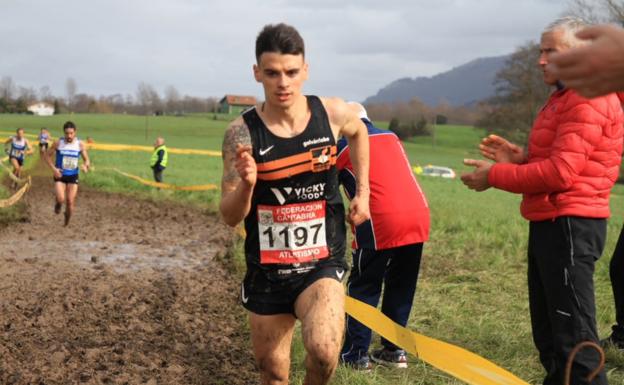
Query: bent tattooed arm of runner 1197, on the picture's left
239	173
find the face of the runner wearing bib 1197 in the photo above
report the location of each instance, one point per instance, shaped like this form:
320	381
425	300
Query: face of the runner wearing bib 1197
282	77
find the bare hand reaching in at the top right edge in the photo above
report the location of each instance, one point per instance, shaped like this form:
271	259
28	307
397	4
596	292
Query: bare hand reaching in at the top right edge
594	69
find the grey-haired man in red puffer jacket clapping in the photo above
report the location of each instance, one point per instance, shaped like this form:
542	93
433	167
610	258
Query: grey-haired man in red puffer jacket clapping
572	162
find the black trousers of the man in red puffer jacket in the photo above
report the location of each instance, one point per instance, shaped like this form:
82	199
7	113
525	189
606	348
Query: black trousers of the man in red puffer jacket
562	254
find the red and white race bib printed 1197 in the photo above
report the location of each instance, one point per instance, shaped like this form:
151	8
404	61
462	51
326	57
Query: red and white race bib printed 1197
292	233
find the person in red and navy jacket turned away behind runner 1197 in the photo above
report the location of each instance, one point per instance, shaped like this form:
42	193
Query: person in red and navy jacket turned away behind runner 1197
387	248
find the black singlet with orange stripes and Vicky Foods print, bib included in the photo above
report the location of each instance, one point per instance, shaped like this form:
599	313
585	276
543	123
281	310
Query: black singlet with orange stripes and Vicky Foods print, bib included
297	216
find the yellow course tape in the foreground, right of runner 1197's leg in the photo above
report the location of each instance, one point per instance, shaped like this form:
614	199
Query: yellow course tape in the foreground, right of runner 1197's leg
458	362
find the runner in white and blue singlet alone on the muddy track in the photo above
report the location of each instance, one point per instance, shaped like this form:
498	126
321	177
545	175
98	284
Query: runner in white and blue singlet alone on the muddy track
68	150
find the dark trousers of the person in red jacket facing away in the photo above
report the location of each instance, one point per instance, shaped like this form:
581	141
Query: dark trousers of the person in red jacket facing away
397	269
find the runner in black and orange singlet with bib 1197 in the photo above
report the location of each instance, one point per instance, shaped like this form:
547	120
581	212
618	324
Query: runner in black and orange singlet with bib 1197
279	175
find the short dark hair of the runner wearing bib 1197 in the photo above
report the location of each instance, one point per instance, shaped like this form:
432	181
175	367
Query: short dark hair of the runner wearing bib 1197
280	38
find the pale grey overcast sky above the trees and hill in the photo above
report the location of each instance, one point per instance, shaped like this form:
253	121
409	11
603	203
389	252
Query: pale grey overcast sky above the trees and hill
206	48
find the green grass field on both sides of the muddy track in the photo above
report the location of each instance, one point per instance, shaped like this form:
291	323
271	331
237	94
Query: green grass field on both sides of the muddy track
472	290
